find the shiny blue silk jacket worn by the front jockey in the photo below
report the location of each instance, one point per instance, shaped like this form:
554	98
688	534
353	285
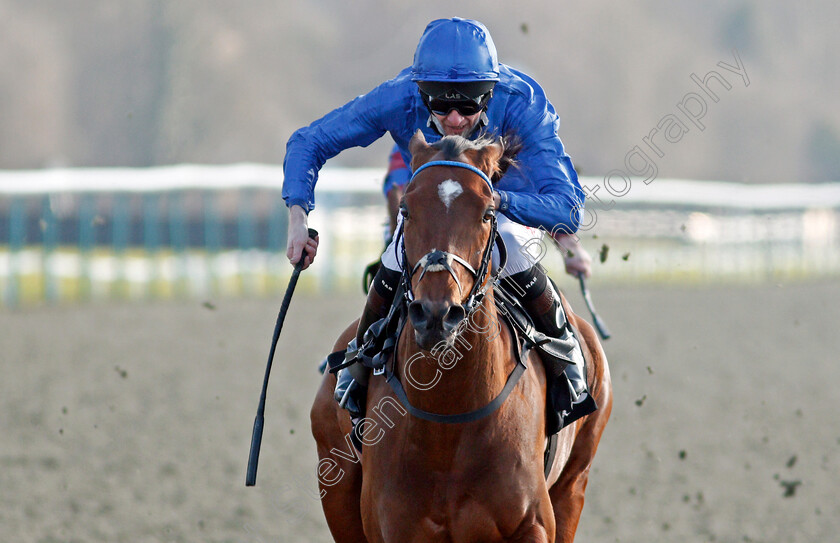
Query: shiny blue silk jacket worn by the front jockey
543	191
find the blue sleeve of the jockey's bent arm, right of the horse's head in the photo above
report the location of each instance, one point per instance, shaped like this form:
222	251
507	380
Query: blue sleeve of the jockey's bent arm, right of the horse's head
554	199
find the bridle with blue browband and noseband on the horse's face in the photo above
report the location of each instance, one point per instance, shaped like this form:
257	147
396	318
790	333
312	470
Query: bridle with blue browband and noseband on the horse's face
437	260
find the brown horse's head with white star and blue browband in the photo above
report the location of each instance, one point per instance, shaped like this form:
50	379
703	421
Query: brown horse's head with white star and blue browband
448	221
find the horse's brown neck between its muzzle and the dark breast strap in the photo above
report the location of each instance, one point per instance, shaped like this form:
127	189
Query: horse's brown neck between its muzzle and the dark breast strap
462	376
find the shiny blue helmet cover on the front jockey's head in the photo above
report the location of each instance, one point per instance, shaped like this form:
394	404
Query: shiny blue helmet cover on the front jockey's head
455	50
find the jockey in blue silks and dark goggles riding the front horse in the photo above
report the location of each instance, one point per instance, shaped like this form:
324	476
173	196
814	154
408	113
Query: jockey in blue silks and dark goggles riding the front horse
456	86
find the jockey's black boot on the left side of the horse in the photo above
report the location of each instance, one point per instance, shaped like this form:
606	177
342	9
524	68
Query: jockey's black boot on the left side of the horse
351	381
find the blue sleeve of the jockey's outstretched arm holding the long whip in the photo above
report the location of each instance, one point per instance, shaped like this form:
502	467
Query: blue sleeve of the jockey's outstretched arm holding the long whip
358	123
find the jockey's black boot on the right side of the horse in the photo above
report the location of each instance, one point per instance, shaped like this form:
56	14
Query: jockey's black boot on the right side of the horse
561	351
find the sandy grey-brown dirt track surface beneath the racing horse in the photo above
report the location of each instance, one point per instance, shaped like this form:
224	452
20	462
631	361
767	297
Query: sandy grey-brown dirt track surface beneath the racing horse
132	423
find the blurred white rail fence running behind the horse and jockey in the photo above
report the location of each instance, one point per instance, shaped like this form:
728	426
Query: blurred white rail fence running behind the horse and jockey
207	231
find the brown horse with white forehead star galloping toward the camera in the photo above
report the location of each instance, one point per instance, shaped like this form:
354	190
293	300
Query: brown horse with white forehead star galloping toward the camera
478	481
